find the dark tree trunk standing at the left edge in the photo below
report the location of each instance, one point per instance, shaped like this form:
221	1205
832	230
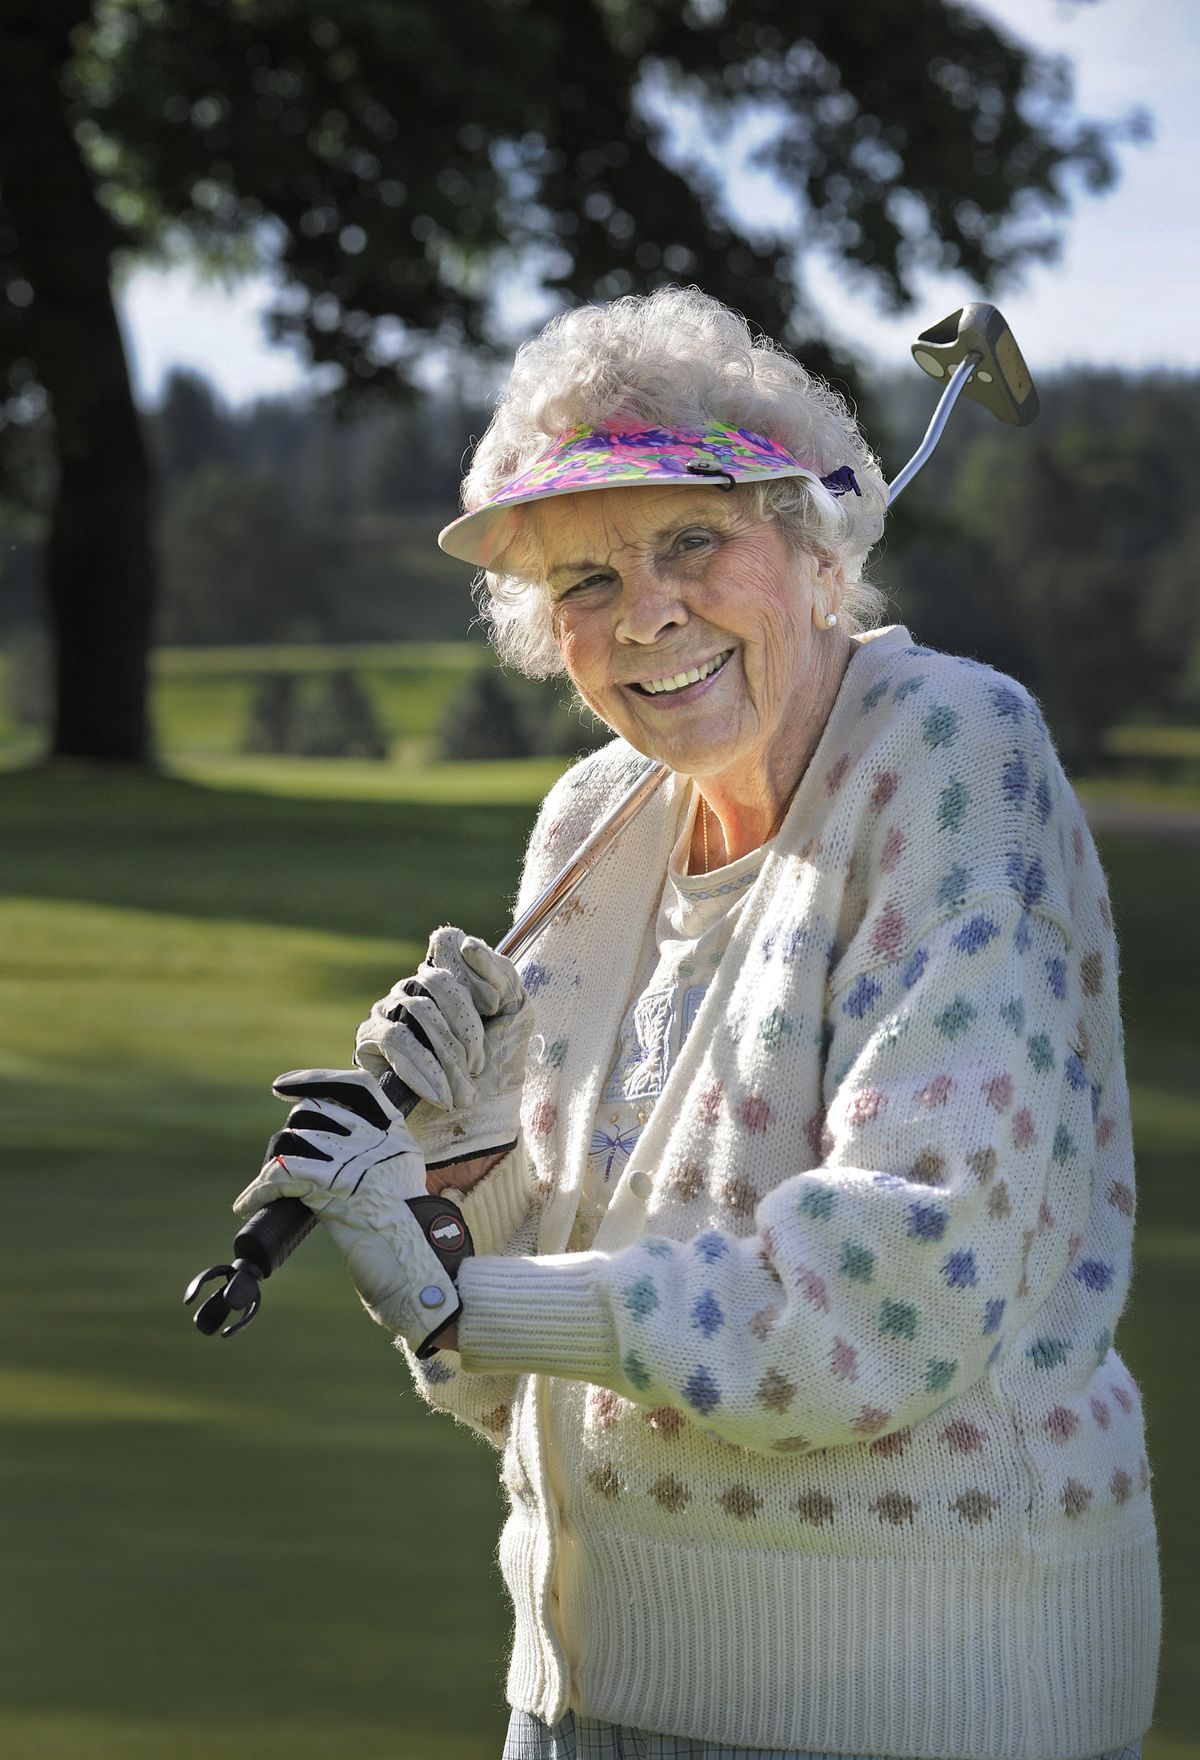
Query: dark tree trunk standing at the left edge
98	562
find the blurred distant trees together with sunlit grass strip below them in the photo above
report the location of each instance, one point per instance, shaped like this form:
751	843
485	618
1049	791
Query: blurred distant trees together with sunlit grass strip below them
1065	555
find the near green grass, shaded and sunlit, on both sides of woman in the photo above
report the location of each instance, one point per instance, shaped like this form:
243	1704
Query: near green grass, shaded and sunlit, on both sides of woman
267	1548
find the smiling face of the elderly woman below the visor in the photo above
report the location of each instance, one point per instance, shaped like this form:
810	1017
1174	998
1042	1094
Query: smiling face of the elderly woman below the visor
687	624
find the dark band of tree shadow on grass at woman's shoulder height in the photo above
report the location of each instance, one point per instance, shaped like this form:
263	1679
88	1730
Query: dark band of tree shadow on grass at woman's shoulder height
170	846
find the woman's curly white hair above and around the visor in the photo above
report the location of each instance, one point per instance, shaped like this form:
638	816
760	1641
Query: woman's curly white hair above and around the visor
673	360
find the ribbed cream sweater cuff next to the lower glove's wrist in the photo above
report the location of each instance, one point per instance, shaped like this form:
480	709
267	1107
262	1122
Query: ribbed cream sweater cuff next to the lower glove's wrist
541	1316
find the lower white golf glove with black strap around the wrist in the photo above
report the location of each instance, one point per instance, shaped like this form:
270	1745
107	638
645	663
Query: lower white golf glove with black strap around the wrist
348	1155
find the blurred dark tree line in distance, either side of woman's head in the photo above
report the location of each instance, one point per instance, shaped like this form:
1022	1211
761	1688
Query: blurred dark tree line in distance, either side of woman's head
1065	554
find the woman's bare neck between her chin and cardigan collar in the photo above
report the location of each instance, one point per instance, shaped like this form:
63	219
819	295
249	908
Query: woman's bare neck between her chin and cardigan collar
749	803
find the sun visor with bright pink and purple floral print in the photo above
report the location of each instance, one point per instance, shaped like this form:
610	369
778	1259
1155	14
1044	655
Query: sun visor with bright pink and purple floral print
618	458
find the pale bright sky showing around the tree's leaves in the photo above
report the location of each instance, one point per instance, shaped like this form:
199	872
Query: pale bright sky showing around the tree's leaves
1125	291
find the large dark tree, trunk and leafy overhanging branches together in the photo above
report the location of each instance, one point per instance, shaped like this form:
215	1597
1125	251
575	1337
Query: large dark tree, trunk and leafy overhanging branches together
400	163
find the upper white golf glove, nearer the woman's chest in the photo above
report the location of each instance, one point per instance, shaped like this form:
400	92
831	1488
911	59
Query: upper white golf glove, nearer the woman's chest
457	1034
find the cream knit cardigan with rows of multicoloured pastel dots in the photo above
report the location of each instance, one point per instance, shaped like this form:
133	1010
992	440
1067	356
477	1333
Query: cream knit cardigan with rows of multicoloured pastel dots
826	1444
